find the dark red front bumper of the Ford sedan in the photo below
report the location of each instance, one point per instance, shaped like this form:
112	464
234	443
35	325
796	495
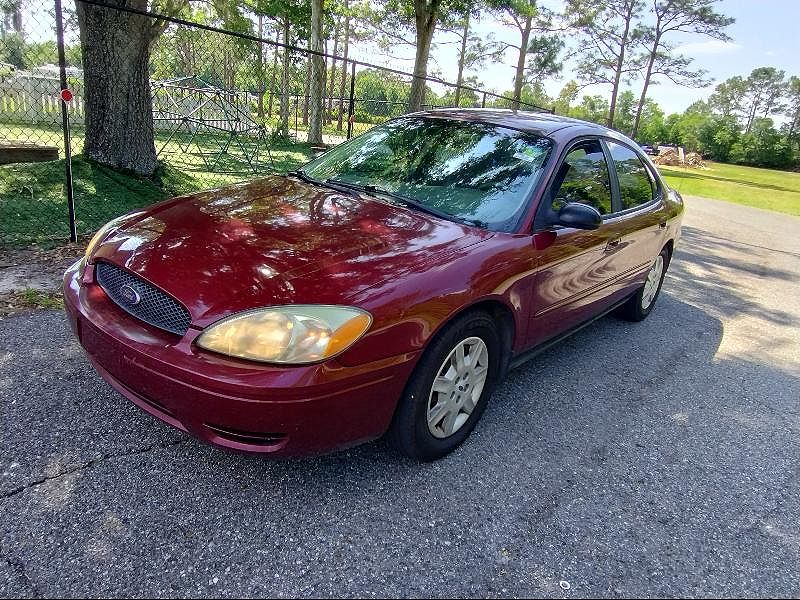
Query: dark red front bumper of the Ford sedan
282	411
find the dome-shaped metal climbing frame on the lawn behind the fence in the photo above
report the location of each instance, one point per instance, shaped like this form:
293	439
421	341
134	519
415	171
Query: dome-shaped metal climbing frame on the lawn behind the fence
209	124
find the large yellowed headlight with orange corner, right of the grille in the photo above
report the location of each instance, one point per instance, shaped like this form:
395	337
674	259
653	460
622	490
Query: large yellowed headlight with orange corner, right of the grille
287	334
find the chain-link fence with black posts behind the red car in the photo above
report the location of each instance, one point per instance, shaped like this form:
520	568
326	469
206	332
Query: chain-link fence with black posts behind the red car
223	105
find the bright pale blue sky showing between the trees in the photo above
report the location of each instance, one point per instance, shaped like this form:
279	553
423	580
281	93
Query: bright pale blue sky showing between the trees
766	33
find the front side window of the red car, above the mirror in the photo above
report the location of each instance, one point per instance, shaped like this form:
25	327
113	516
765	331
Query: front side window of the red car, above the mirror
585	178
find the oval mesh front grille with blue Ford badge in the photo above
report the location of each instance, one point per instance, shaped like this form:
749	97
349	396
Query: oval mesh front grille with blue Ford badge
142	299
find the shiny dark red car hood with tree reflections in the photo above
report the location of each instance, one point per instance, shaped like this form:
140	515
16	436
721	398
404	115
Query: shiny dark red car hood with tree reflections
277	240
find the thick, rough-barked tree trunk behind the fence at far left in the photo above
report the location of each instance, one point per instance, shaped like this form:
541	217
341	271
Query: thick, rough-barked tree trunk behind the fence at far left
118	105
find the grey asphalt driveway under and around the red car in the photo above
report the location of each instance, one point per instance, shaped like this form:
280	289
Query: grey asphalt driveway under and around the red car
651	459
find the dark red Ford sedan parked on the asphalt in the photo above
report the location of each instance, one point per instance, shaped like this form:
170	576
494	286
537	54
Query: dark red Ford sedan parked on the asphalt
384	288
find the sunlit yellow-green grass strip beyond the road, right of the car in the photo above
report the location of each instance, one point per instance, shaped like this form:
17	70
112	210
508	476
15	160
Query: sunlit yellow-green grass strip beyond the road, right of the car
762	188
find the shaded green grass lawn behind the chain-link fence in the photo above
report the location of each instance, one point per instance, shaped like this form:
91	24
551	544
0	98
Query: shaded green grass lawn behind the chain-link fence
33	206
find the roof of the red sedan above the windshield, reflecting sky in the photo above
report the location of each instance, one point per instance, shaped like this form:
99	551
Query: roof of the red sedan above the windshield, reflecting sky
540	123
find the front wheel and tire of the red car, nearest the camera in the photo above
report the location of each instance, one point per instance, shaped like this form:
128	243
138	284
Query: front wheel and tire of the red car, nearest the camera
410	431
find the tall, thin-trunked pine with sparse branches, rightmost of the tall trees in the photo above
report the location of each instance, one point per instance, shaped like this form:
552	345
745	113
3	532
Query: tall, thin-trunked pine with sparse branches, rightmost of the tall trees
677	17
